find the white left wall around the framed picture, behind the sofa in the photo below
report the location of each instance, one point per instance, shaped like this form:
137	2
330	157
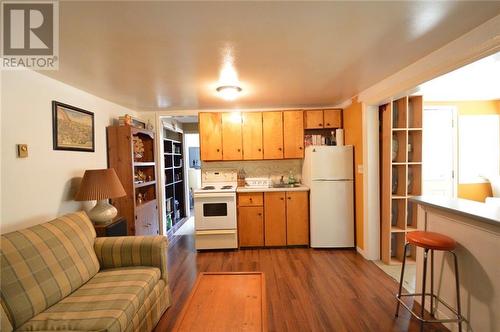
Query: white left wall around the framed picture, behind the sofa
41	187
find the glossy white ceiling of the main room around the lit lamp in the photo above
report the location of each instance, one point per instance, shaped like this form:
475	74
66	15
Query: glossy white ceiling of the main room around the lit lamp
167	55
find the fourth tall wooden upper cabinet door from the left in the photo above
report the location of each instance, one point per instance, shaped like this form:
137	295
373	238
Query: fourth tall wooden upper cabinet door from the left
272	128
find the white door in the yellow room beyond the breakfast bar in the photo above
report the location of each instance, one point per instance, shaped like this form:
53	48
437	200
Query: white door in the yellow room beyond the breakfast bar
439	152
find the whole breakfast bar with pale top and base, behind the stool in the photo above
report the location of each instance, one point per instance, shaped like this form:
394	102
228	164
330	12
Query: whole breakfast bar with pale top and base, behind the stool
475	227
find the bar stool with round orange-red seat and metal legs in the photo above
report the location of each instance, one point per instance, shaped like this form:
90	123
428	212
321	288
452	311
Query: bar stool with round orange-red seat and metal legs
430	241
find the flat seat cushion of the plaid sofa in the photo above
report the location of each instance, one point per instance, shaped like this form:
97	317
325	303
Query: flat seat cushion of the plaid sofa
110	301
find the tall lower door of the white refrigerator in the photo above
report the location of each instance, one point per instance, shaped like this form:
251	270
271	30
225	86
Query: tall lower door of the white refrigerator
332	214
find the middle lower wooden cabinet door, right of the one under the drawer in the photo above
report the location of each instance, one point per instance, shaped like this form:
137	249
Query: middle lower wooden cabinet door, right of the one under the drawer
274	219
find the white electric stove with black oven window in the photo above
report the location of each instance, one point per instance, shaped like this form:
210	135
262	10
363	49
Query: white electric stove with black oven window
215	210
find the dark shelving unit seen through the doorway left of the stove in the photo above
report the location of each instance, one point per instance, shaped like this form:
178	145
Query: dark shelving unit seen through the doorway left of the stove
174	175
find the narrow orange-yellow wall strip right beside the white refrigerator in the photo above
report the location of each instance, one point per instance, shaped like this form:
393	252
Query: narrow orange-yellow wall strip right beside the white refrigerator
353	124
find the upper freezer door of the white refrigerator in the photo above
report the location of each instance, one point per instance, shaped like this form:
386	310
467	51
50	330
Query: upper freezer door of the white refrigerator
331	162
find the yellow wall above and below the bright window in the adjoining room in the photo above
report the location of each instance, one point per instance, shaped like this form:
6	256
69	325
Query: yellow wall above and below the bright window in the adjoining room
472	191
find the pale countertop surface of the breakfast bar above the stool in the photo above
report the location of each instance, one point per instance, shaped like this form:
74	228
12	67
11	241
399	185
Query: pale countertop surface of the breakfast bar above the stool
471	209
